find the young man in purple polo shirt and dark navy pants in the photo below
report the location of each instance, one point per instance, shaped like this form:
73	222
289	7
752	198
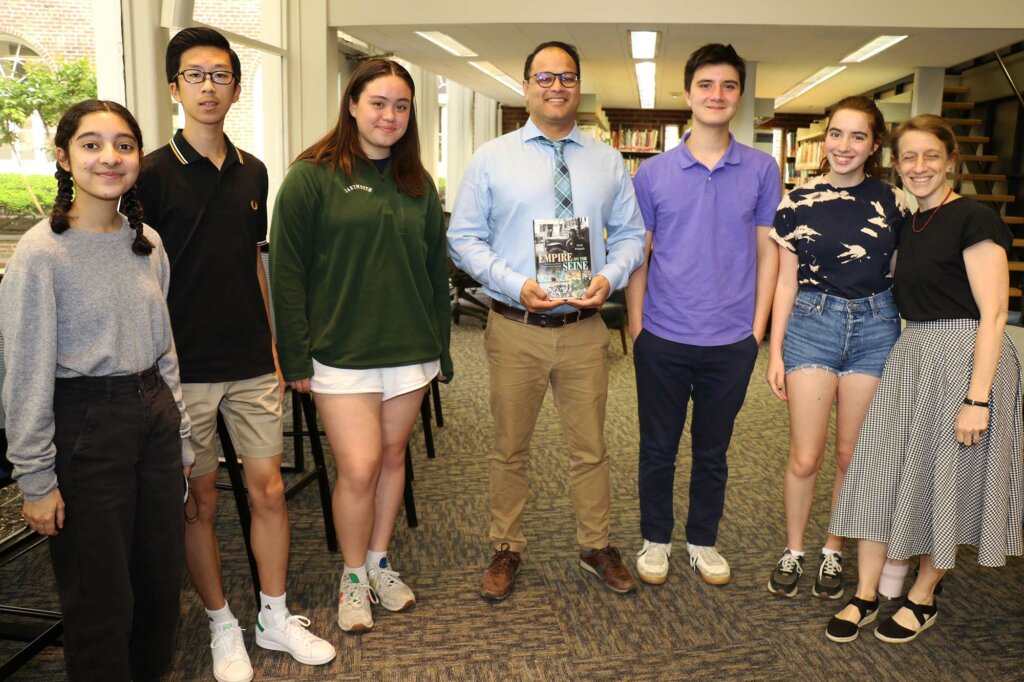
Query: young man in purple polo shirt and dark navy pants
705	292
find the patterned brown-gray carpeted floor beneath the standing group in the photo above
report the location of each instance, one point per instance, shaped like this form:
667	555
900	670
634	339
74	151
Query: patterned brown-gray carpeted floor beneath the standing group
561	624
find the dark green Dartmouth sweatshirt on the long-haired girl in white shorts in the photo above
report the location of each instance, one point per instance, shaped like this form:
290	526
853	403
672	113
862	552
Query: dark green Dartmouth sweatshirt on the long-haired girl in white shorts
359	273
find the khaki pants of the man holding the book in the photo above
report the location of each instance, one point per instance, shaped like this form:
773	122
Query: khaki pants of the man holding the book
524	362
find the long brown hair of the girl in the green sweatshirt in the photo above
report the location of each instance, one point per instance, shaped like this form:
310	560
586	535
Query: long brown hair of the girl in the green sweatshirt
342	147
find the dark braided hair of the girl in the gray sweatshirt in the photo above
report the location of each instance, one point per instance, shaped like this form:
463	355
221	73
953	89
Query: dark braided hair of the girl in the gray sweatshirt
131	205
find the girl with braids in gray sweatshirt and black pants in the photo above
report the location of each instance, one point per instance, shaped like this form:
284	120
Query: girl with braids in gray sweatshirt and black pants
98	433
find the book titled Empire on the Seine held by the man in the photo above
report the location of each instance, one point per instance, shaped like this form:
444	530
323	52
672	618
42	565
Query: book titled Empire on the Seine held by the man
562	247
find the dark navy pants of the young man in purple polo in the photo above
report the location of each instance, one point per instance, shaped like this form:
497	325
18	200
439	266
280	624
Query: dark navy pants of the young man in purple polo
668	375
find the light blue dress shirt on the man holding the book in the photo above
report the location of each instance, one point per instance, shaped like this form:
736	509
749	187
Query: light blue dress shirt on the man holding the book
509	183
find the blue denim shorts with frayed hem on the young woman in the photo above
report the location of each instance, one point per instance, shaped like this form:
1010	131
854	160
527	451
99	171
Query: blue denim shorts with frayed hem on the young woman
841	335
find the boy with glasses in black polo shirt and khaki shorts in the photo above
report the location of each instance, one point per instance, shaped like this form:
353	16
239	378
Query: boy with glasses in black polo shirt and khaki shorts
208	201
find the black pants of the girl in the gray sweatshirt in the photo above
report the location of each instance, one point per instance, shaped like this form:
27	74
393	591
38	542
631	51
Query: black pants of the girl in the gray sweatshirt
120	558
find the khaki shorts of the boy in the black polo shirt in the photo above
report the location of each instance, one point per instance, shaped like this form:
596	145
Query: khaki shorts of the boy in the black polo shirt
252	412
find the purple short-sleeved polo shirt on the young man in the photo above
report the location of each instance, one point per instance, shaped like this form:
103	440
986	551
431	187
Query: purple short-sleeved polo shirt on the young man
703	273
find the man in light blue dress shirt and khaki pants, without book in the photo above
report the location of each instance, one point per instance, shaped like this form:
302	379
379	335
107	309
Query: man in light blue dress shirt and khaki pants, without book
533	340
